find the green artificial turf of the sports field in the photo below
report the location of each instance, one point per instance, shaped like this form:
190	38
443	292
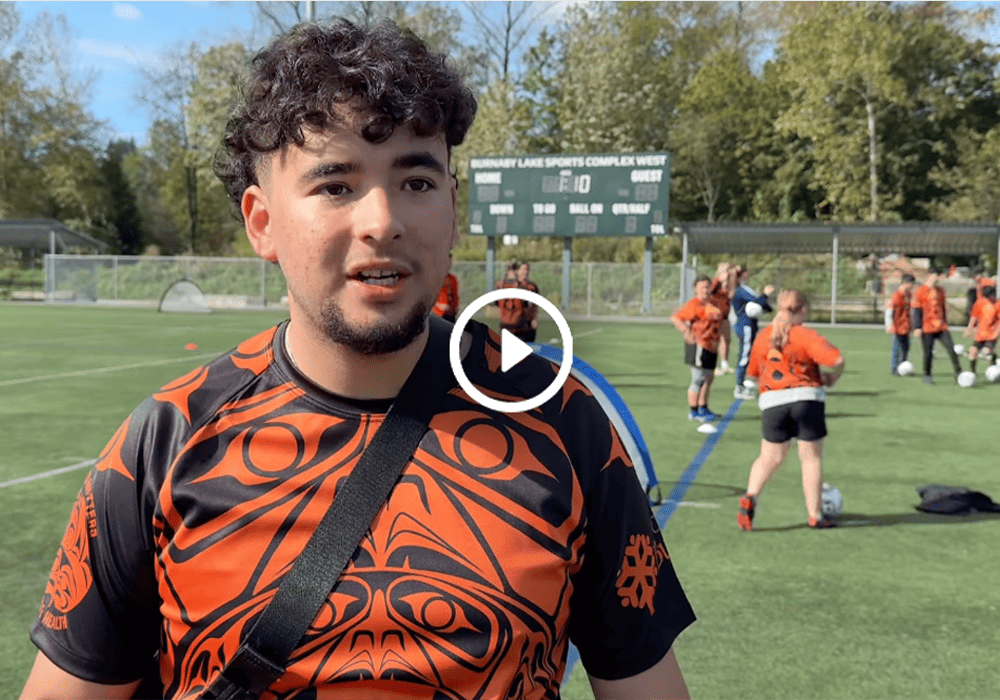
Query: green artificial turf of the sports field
892	604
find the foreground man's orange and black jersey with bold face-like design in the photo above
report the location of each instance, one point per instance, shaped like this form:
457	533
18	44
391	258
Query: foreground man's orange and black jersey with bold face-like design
506	537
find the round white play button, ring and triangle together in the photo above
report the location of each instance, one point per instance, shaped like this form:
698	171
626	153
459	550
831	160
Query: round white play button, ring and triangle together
512	350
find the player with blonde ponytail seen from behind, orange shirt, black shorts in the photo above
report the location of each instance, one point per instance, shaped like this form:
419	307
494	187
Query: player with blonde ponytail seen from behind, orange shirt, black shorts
786	360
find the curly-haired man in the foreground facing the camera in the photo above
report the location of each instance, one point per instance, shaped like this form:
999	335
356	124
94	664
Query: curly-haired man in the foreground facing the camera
507	536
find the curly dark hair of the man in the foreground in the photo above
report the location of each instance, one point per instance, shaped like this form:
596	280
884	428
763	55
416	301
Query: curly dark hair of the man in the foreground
318	74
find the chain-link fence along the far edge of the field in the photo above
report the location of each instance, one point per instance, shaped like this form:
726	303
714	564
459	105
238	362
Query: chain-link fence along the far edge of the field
596	290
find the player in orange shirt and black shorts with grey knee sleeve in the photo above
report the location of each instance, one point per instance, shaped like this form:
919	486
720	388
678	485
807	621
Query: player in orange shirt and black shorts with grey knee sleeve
700	322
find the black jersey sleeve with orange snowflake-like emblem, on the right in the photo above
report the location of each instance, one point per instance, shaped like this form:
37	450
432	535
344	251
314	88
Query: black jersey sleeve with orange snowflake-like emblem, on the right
627	605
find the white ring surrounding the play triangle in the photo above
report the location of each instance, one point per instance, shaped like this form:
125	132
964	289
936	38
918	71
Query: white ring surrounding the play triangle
455	352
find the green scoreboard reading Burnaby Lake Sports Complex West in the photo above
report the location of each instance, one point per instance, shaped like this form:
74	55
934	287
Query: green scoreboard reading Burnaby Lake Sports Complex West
621	194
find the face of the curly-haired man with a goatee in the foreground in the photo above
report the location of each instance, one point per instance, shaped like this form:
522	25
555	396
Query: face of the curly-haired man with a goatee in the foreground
362	232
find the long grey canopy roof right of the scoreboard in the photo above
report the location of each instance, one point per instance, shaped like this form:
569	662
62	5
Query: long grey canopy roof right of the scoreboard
914	239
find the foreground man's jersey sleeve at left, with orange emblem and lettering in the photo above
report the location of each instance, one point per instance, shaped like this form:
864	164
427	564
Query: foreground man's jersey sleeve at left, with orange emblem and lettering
99	618
